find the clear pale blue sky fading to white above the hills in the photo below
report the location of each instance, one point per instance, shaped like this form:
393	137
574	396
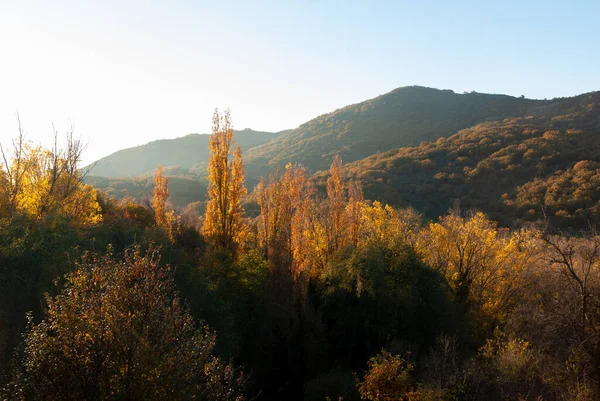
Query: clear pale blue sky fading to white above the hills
124	73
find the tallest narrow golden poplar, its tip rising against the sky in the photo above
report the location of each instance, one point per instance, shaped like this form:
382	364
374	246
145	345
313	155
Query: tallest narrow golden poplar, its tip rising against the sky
223	222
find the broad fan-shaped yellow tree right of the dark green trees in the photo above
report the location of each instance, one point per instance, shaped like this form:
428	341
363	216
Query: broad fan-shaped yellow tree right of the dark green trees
485	267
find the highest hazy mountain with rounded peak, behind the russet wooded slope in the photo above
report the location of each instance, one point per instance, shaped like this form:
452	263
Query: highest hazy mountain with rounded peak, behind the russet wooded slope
403	117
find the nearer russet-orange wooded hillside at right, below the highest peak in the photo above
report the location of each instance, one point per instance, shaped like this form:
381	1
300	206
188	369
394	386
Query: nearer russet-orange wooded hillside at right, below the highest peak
516	170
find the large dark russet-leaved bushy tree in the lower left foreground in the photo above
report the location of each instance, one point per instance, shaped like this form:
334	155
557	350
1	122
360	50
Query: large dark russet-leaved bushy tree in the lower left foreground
117	330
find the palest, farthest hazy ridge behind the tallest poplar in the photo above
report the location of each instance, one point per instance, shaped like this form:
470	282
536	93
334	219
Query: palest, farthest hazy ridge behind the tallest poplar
186	152
